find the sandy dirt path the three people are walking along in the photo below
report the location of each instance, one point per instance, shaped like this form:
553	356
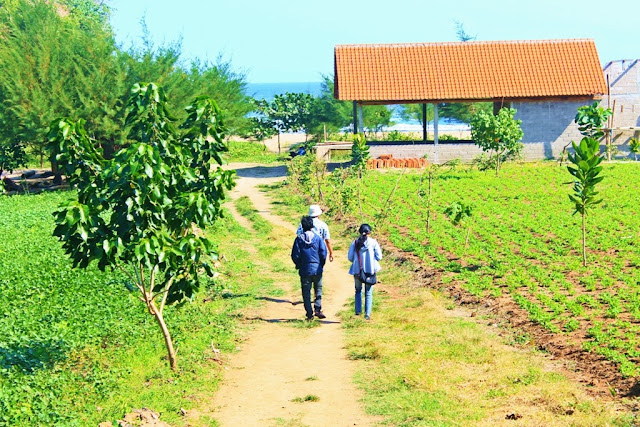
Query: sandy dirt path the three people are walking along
278	362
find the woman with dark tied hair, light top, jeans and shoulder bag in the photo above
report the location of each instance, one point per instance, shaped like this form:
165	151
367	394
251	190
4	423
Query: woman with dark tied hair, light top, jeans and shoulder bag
364	254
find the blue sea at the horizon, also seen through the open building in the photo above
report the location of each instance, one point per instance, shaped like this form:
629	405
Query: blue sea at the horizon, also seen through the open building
269	90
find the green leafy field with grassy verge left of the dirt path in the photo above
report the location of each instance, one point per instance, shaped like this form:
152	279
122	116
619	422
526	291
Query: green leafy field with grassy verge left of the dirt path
77	348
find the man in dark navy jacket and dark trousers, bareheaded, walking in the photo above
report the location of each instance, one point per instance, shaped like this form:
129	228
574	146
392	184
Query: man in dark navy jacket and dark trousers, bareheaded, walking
309	254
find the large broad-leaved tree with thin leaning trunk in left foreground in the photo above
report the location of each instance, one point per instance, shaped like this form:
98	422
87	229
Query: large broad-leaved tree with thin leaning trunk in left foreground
140	212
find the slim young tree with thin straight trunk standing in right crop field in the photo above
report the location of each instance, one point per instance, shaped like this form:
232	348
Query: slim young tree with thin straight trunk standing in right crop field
585	169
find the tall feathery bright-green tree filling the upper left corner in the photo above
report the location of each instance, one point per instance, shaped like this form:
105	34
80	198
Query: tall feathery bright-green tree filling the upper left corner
51	66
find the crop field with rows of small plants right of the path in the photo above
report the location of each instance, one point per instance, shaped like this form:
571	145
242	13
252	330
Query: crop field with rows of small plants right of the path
523	255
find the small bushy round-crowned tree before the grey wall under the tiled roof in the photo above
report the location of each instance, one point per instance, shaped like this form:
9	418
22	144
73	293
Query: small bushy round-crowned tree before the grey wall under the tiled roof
498	135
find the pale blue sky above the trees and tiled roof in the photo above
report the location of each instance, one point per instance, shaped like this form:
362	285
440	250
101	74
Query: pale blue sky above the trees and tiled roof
293	41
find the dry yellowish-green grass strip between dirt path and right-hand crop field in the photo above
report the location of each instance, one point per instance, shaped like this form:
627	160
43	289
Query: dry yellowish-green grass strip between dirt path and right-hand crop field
420	363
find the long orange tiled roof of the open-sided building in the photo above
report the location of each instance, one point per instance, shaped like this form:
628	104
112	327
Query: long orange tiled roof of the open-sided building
468	70
